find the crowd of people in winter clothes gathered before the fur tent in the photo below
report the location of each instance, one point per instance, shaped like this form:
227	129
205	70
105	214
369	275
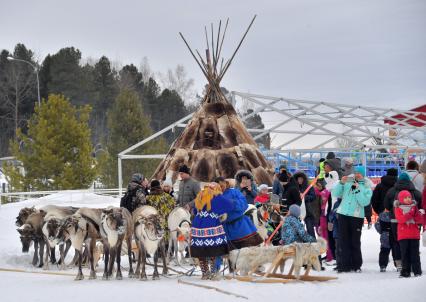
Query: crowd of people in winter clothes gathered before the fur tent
334	206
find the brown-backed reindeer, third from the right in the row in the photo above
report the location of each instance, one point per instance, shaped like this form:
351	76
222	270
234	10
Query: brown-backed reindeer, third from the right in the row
116	226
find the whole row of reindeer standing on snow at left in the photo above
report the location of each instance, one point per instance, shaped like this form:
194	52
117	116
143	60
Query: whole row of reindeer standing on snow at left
85	229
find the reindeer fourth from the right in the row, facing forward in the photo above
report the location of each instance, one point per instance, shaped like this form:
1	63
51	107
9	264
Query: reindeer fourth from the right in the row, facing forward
82	229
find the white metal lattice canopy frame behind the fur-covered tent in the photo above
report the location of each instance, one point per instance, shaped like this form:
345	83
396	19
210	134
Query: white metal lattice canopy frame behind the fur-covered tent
314	125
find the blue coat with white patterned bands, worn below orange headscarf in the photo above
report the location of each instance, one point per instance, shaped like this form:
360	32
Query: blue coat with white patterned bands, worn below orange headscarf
208	238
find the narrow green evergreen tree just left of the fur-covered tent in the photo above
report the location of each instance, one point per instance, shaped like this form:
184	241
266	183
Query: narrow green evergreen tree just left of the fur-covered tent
128	125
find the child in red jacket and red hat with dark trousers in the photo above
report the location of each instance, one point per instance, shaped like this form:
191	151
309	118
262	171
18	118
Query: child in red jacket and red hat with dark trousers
408	216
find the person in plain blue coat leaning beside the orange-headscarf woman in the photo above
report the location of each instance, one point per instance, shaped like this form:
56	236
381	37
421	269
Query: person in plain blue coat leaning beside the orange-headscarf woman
239	228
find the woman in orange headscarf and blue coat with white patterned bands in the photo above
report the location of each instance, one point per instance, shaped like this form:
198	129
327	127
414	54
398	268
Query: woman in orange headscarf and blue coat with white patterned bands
208	236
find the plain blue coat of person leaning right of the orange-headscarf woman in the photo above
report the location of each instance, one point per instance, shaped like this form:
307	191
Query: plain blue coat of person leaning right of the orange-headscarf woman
237	225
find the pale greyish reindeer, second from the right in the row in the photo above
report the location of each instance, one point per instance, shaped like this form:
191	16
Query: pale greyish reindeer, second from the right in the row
149	239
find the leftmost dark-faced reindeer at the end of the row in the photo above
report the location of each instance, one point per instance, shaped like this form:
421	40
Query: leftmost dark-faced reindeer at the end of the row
31	230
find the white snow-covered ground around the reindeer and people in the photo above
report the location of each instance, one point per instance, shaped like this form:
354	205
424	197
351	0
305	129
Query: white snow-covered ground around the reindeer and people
370	285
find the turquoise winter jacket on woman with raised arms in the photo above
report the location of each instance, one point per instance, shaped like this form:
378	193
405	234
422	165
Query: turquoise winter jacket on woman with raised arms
353	201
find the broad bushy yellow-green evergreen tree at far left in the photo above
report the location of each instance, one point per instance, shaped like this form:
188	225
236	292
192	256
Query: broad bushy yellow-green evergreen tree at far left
57	152
